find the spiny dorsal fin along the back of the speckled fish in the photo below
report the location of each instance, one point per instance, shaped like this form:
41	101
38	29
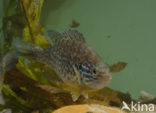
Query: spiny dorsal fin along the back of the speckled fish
70	34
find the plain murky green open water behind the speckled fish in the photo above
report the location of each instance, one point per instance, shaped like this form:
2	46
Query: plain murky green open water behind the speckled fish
119	30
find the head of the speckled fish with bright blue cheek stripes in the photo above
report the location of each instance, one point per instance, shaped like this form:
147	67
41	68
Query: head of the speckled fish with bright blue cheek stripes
96	76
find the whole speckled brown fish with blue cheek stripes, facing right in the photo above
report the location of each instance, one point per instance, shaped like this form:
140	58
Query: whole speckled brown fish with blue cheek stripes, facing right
74	61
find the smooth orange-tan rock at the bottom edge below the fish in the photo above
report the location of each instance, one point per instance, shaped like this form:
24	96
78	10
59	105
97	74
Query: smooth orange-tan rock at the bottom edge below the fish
93	108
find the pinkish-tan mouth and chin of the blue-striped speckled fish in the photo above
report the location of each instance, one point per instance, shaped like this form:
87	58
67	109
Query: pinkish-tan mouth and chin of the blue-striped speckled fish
101	81
